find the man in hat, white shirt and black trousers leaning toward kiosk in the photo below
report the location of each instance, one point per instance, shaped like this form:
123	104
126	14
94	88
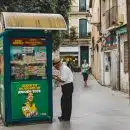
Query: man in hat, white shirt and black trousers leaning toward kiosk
66	79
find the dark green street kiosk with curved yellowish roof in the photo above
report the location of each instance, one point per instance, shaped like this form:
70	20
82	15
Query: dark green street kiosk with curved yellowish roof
26	66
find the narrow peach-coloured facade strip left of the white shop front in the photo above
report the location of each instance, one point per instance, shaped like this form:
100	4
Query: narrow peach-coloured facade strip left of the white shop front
95	46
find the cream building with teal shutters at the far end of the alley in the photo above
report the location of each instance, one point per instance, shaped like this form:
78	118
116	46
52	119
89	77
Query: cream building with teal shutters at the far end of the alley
79	49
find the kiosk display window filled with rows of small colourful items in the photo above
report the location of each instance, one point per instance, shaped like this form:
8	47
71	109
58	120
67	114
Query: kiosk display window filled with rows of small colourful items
28	63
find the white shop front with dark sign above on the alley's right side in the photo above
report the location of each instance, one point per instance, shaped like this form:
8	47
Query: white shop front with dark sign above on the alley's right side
109	59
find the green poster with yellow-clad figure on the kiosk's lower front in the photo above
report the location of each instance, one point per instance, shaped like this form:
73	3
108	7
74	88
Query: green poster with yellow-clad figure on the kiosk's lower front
29	99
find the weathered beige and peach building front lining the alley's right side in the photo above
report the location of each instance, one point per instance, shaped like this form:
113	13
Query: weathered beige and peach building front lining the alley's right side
109	43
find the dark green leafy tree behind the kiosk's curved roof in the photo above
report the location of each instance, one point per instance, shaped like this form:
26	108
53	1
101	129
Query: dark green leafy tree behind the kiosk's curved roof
40	6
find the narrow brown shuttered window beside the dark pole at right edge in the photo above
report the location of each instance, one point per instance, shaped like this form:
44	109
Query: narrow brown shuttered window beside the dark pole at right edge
125	56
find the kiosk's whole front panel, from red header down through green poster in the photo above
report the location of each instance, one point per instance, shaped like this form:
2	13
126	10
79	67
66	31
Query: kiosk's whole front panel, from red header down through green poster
29	86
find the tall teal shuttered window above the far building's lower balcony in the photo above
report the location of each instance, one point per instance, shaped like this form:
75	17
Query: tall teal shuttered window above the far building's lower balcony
82	28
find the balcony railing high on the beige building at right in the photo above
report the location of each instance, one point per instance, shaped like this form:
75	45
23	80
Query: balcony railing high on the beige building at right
111	16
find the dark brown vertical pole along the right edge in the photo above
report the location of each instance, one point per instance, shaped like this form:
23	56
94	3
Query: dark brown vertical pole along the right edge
128	28
